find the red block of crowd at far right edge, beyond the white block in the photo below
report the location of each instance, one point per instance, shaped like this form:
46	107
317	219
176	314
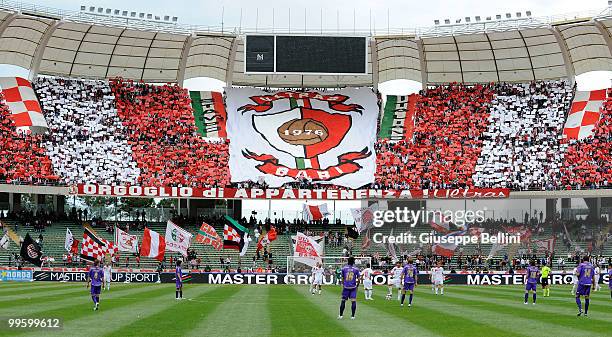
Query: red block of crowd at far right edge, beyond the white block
588	162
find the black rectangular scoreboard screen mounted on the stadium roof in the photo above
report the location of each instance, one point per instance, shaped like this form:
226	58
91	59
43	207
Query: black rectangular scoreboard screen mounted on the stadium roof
305	54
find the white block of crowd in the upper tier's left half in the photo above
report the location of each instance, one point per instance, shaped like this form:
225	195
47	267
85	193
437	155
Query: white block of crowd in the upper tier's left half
86	140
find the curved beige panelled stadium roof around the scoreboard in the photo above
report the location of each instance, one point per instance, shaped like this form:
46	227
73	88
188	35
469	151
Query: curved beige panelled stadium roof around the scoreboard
55	42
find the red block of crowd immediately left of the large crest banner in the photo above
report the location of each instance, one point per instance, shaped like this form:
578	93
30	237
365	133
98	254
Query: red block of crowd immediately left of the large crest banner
164	140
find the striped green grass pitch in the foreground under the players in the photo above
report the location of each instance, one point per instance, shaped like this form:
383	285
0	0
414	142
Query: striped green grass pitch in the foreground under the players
232	310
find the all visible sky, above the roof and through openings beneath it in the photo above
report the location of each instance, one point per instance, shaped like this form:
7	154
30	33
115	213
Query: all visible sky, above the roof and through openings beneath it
379	17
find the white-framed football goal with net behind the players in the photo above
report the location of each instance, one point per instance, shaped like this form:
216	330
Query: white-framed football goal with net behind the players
303	265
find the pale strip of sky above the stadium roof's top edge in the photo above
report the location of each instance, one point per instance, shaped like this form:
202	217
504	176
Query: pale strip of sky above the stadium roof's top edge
400	13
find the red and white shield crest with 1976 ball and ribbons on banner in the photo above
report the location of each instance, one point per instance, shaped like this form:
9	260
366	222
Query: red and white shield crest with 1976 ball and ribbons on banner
305	133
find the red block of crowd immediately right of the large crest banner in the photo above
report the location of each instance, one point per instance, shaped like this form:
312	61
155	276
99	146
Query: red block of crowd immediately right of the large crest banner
449	123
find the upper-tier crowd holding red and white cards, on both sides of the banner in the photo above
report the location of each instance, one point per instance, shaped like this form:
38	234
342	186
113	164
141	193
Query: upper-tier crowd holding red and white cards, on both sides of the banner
484	135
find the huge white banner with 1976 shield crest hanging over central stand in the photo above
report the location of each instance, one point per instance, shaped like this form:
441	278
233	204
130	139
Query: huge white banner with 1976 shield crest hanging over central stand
286	136
